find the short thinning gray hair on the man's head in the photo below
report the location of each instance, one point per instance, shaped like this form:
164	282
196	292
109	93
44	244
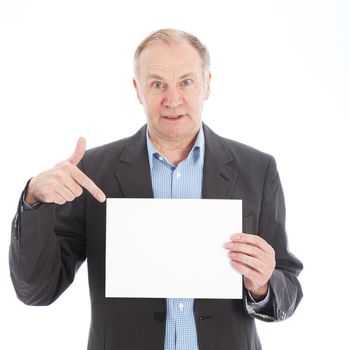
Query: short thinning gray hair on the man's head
169	36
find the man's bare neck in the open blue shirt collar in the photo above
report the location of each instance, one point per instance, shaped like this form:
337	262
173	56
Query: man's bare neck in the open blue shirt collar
174	150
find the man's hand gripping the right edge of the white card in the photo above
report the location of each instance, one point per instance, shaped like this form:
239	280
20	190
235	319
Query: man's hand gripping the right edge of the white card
254	258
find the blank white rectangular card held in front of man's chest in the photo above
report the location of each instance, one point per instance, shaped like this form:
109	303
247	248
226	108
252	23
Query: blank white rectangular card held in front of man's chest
171	248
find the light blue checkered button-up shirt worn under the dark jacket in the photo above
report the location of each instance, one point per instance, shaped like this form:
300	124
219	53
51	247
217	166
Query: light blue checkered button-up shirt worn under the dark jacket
181	181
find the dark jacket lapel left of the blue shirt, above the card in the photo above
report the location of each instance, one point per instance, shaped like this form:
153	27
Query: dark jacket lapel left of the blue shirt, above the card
134	173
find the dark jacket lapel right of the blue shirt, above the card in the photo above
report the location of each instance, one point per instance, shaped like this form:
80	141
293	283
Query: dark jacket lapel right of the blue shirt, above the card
219	176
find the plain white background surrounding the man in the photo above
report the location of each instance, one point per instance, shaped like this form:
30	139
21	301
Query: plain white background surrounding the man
280	83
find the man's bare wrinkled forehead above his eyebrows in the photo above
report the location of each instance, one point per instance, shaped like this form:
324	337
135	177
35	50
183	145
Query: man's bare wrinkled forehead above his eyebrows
169	59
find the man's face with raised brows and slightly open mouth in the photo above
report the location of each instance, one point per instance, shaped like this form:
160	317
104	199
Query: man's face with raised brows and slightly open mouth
172	87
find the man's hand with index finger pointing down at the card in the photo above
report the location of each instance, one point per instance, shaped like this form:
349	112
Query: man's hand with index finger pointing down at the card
64	182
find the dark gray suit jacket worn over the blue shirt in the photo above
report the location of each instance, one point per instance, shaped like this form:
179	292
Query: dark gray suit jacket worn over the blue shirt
49	244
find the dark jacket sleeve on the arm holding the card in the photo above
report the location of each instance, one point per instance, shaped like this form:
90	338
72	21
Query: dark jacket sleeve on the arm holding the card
285	288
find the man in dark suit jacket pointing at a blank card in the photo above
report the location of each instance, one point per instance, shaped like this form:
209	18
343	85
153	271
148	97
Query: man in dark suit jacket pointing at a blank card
61	217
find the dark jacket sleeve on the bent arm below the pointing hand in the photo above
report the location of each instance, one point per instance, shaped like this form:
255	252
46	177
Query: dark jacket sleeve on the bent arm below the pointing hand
47	248
